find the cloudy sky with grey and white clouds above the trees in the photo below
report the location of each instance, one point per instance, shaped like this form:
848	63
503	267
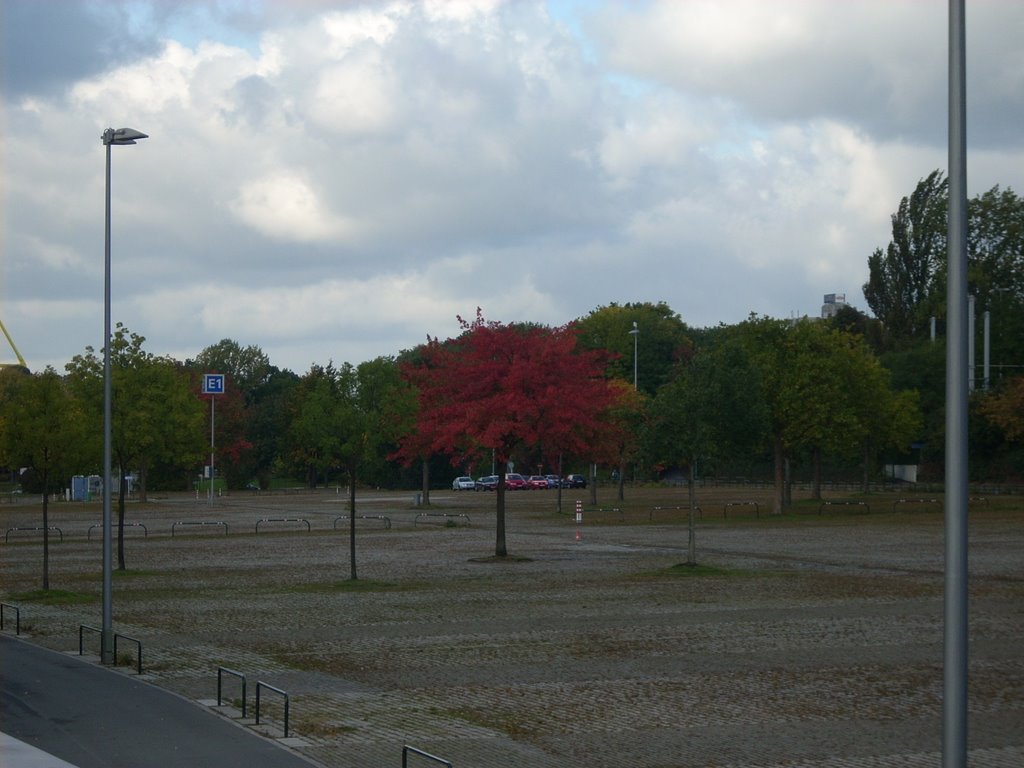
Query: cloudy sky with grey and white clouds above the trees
336	181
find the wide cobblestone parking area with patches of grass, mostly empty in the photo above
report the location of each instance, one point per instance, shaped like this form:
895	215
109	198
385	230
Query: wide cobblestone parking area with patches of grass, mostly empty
813	642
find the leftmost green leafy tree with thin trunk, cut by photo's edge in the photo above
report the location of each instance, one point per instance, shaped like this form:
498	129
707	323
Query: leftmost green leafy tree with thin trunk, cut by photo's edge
42	429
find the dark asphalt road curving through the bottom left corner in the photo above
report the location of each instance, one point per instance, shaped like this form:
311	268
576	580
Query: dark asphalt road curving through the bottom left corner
97	718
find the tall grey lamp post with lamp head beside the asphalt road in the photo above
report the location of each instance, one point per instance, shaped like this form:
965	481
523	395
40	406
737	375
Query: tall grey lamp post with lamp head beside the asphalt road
110	138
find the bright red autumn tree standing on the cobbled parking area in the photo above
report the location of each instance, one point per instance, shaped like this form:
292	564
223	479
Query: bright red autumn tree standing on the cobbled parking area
508	389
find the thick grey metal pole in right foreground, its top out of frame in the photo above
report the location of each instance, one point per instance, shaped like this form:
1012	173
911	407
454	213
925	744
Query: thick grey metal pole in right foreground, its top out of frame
956	604
